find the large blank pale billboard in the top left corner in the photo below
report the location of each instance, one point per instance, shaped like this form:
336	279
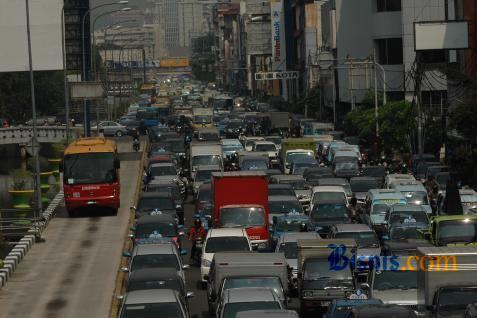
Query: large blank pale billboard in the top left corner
45	27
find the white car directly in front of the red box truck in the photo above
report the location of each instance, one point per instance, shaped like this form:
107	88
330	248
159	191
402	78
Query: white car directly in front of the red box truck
222	240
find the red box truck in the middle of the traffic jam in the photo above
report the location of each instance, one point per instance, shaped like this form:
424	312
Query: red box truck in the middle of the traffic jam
241	200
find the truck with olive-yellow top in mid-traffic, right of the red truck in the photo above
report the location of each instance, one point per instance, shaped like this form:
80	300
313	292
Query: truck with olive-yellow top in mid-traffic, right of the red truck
294	149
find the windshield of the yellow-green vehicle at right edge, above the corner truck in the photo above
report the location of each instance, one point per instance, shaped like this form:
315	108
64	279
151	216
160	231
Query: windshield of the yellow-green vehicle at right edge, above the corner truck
464	231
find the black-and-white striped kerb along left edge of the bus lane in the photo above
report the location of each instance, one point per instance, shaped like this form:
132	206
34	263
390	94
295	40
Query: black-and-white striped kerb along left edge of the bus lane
19	251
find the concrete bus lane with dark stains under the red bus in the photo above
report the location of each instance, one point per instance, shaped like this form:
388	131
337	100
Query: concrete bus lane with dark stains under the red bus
72	274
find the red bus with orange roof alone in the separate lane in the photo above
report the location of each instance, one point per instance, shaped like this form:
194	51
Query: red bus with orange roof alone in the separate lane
91	175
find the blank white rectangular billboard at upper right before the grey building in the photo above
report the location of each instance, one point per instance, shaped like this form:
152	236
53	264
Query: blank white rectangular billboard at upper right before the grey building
439	35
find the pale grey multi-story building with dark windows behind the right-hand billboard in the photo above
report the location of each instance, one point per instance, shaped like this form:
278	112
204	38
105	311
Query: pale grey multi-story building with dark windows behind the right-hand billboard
357	30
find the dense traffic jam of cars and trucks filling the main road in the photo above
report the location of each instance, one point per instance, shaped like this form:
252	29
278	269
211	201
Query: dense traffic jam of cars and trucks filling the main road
284	216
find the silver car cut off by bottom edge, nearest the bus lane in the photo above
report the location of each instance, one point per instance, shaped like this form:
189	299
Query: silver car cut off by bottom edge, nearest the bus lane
154	303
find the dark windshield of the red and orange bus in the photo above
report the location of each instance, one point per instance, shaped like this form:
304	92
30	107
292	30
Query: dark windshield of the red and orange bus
89	168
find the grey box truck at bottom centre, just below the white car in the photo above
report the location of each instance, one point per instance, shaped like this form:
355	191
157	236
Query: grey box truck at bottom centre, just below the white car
235	270
